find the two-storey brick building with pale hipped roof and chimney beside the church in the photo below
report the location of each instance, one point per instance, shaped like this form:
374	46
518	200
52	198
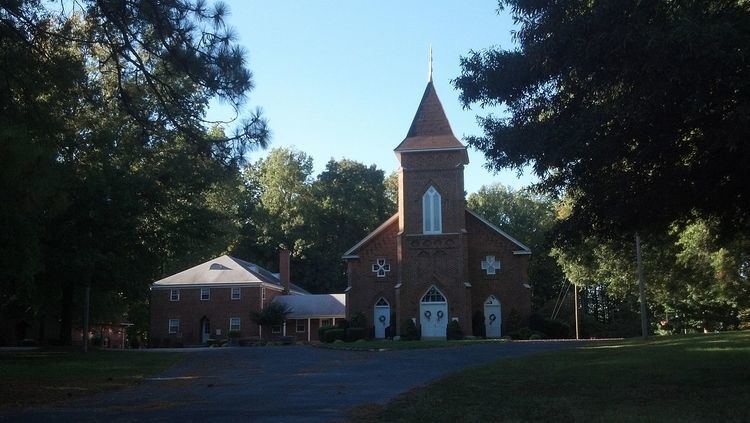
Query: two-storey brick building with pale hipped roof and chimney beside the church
211	299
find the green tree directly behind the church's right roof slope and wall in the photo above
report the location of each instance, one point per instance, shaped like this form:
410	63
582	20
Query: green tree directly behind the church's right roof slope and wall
530	218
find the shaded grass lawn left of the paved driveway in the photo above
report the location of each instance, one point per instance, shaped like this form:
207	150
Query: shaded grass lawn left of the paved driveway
41	377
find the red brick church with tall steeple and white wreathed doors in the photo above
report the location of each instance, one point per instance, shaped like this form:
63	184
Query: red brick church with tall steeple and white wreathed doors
435	260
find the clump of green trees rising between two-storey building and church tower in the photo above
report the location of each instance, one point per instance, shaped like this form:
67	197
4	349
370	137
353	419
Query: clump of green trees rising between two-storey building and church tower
317	218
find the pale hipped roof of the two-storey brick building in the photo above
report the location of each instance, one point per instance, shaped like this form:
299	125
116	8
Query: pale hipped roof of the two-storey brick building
223	270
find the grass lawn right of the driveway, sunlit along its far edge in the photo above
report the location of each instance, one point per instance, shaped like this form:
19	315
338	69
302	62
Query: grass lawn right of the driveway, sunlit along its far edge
679	378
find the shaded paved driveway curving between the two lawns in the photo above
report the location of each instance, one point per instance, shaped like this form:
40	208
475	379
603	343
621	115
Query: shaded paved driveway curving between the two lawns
276	384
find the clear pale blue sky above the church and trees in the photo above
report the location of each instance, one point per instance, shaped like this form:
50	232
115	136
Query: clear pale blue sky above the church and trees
342	79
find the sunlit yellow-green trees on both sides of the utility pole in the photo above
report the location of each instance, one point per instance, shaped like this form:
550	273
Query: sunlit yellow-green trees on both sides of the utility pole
696	282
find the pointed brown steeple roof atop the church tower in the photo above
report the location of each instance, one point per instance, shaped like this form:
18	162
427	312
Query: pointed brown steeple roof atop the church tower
430	129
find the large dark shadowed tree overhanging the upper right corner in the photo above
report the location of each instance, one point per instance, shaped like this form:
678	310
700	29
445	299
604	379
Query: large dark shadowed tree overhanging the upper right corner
636	109
